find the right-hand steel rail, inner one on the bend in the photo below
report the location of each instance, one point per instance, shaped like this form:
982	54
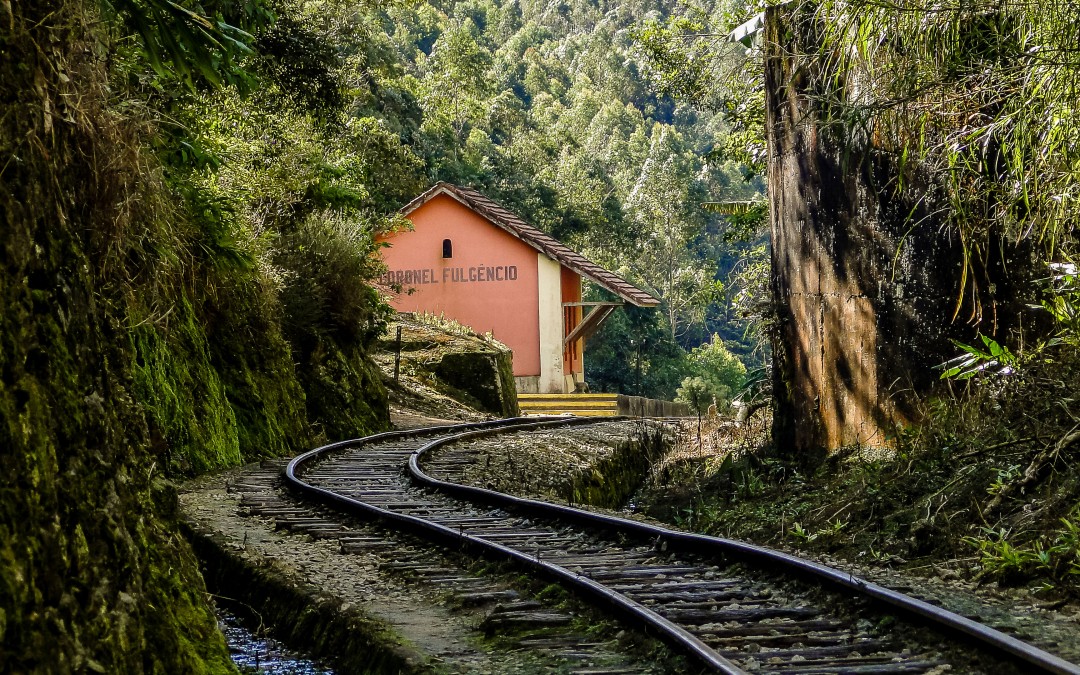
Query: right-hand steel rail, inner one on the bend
768	559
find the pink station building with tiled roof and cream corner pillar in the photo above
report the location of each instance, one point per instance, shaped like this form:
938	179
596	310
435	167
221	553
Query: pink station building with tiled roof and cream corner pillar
472	261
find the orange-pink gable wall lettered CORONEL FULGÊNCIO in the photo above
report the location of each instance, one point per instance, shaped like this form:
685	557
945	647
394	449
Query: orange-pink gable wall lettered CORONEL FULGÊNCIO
490	285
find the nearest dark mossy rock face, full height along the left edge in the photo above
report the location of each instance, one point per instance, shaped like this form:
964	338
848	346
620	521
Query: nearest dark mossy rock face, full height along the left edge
93	575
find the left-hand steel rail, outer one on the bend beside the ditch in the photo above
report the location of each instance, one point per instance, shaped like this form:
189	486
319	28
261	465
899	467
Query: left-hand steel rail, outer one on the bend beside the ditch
633	613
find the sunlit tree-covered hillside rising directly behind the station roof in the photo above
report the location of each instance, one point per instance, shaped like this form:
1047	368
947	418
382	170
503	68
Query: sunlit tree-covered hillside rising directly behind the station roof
550	110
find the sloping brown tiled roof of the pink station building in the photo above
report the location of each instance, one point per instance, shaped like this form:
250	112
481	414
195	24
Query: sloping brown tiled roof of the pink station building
537	239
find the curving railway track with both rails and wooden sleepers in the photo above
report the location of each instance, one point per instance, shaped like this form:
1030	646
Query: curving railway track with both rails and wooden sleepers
679	587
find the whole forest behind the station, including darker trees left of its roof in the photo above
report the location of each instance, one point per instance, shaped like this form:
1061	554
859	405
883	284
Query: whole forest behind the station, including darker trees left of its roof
546	109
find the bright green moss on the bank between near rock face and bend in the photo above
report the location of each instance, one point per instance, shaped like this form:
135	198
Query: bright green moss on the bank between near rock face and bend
219	383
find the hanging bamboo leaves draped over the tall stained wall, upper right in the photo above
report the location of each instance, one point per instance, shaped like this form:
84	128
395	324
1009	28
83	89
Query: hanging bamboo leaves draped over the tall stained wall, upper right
984	93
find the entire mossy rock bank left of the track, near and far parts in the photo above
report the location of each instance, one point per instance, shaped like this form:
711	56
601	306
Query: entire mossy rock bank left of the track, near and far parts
128	356
